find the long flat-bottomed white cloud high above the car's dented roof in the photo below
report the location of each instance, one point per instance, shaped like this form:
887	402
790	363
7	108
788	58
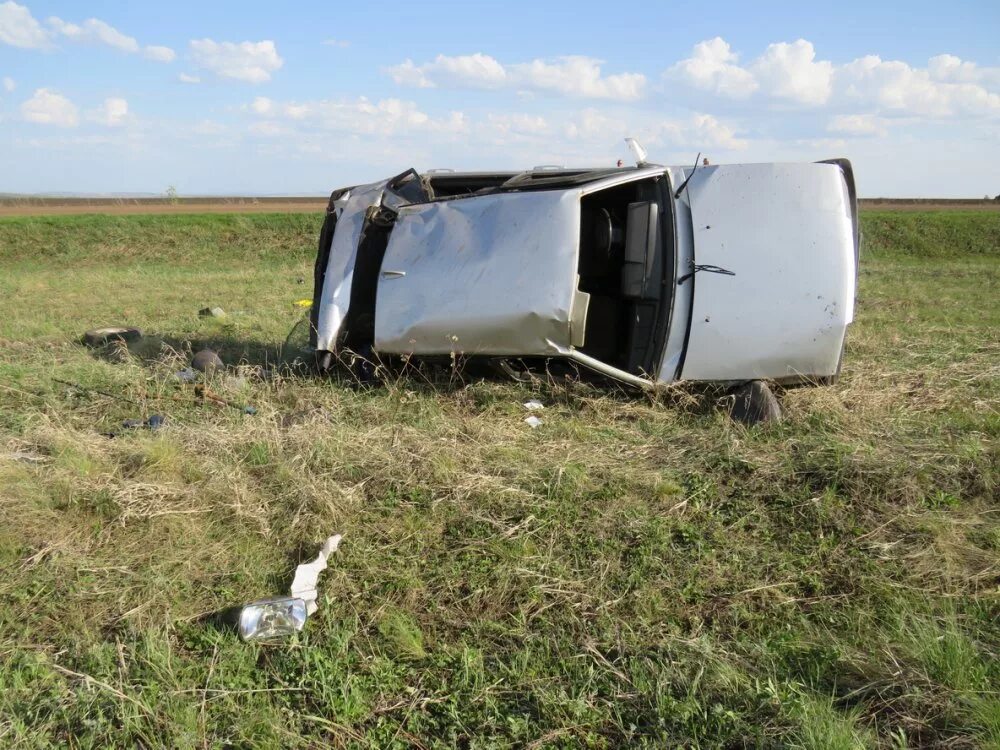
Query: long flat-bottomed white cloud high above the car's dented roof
573	75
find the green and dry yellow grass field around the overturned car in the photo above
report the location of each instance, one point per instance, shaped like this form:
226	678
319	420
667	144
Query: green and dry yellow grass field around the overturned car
637	571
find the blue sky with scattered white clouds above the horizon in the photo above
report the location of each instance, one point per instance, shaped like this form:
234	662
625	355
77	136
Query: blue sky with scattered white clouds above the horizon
255	98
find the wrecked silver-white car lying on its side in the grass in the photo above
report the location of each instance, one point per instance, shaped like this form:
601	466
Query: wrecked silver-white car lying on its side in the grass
645	274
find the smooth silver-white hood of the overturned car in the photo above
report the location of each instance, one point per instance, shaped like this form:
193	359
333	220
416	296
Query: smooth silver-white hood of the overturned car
786	231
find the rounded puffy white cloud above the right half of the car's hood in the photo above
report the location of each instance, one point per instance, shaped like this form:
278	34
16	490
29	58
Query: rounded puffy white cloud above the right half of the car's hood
791	71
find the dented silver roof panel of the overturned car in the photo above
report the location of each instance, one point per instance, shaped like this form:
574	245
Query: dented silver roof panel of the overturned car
492	274
